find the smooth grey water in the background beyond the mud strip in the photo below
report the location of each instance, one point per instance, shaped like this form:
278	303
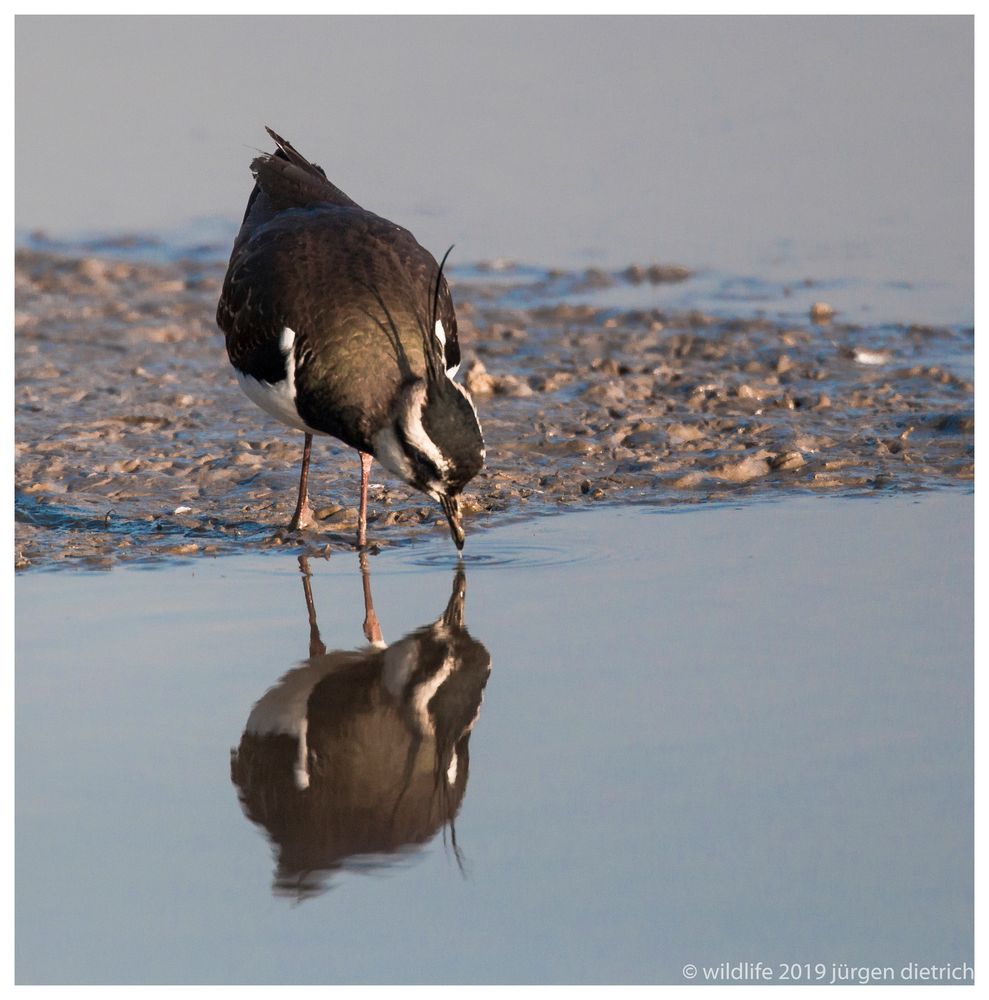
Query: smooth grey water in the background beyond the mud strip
838	149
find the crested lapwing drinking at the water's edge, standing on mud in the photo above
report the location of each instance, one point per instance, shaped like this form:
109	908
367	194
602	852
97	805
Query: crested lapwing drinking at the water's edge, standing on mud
338	322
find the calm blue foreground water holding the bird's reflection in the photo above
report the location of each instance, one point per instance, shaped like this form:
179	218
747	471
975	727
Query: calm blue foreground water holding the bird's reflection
708	736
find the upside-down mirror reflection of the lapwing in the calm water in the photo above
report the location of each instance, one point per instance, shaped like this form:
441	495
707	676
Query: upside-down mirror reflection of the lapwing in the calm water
362	753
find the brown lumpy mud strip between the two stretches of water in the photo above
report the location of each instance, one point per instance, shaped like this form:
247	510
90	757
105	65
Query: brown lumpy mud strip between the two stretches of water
133	442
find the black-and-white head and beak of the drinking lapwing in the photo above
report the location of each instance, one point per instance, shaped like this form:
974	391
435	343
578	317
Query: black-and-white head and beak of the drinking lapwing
434	443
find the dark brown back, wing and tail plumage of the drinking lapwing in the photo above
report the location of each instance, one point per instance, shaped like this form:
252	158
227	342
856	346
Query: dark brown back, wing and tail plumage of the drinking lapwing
359	294
